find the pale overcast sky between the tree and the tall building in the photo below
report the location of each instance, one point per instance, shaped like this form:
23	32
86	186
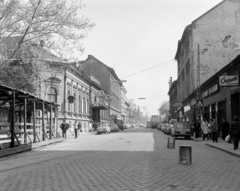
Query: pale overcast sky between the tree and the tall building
132	36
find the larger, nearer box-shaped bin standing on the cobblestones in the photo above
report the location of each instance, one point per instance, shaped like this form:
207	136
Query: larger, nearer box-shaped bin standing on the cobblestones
185	154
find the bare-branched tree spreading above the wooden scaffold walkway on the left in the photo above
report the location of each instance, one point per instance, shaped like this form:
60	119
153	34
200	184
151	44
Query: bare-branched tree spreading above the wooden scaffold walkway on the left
33	31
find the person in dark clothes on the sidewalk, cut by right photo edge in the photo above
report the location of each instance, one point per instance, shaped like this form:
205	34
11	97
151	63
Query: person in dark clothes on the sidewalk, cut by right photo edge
234	132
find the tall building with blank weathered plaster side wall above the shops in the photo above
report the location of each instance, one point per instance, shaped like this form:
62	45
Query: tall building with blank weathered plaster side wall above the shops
208	44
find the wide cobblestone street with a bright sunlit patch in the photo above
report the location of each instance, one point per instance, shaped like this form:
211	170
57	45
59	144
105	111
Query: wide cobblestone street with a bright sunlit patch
133	160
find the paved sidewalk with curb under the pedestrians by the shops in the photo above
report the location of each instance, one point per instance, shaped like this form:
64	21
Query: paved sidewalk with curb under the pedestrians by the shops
221	145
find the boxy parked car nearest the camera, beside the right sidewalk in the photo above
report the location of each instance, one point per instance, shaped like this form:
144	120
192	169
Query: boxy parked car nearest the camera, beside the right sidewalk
181	130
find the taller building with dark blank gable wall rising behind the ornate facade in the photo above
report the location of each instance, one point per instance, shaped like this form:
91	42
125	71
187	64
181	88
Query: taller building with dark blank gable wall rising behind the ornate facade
109	83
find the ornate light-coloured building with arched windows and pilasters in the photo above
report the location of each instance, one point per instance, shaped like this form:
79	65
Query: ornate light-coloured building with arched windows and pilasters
80	97
